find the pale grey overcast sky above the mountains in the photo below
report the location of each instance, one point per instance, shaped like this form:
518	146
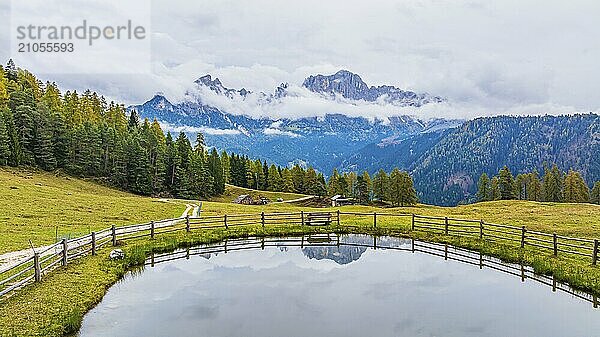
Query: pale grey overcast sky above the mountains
486	57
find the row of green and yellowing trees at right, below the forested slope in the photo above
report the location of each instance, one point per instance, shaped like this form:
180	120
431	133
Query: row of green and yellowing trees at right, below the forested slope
554	186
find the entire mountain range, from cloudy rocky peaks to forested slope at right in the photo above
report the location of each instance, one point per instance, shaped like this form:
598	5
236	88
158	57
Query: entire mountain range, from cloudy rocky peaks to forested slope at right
444	156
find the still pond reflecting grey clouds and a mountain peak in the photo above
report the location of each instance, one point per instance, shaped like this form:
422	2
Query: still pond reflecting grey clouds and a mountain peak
328	285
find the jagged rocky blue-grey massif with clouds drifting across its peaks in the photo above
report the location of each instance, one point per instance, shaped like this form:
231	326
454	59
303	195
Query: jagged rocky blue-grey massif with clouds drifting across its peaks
323	142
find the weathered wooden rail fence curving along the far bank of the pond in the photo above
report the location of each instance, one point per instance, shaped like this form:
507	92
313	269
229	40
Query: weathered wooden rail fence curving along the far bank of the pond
47	259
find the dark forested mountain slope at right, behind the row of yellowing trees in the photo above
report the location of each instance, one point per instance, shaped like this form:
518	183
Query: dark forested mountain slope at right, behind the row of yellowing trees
447	174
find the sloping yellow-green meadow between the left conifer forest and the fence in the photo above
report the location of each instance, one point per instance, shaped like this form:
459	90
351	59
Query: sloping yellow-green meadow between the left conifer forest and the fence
33	205
